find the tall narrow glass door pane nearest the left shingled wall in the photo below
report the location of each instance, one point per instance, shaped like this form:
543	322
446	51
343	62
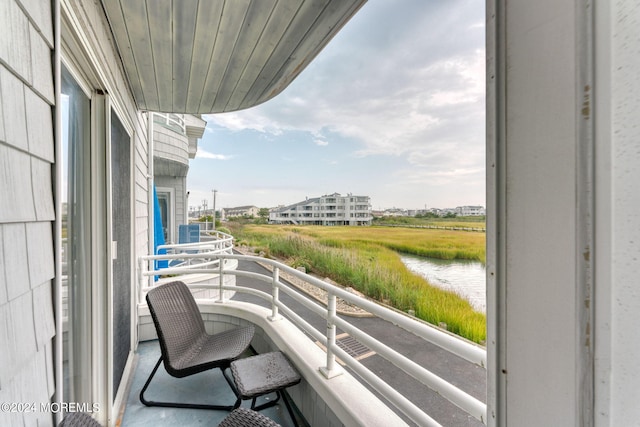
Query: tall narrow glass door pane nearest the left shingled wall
76	240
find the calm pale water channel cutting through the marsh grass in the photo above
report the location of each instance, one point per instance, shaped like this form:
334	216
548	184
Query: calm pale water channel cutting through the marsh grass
466	278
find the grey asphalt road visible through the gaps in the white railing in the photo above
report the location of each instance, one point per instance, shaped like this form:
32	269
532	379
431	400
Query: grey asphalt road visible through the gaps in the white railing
465	375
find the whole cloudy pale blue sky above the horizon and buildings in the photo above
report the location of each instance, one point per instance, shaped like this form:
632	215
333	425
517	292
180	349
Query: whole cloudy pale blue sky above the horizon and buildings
392	108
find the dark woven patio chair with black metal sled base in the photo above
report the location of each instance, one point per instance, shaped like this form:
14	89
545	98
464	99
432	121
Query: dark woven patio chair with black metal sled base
186	348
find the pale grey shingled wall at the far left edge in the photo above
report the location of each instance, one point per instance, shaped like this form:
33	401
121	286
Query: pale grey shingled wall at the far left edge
27	214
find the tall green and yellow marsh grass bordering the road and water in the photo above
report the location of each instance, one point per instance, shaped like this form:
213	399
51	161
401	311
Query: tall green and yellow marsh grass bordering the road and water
367	259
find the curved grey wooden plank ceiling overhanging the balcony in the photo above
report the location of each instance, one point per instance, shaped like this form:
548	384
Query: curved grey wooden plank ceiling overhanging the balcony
213	56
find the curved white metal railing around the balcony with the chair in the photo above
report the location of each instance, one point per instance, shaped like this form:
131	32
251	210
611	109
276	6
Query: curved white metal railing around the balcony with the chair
216	262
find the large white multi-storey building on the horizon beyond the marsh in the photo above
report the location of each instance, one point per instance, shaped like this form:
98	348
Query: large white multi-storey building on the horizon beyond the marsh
332	209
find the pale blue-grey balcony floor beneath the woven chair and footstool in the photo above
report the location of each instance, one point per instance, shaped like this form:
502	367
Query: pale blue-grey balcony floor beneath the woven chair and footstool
207	387
